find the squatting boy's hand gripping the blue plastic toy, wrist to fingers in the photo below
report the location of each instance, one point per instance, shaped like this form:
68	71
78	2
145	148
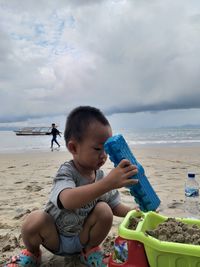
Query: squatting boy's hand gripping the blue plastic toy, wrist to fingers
119	177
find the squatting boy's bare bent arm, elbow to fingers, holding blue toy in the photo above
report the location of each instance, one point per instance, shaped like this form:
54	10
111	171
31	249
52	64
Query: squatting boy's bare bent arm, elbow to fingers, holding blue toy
79	196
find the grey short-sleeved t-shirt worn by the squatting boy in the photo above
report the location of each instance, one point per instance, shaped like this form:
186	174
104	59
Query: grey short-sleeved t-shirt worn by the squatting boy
70	222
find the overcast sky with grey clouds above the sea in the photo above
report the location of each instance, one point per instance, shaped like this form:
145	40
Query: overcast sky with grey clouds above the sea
138	61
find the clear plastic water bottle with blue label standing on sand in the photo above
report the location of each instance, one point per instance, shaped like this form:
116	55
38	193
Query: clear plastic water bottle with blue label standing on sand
192	196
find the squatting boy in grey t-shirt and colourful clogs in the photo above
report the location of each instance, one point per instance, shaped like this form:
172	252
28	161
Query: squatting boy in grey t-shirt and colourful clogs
82	203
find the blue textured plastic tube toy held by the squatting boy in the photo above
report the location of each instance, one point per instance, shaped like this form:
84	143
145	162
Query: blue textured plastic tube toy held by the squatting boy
117	149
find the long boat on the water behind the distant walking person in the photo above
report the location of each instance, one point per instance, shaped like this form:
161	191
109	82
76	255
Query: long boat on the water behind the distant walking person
33	131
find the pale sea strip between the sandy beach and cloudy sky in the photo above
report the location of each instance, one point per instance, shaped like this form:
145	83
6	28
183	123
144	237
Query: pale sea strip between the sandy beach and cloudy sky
174	136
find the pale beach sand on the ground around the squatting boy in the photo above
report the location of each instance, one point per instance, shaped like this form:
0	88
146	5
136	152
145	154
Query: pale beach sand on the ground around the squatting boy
26	180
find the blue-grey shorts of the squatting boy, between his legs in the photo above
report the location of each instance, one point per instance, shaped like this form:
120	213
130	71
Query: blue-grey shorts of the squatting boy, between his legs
69	245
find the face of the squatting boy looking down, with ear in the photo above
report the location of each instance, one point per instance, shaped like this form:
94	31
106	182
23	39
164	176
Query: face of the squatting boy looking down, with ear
90	152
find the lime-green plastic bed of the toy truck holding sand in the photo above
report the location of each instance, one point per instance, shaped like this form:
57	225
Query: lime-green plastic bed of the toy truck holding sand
161	253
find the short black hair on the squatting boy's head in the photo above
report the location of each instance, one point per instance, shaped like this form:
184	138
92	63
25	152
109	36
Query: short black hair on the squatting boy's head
78	121
